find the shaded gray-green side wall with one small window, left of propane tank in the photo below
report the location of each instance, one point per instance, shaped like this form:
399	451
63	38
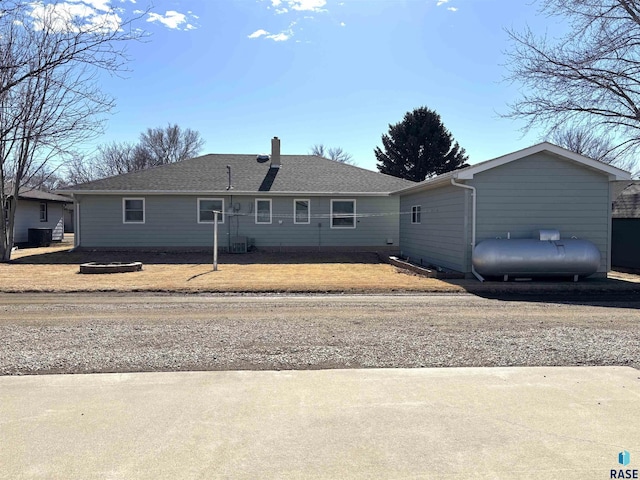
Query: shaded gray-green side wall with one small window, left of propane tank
442	236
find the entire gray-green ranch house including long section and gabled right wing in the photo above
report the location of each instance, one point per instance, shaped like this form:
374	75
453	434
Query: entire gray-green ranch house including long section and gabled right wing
545	195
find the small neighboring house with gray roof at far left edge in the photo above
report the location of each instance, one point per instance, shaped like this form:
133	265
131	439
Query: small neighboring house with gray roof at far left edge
38	210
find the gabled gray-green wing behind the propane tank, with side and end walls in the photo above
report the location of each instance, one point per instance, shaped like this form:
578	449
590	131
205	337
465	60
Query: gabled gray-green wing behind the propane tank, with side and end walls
543	187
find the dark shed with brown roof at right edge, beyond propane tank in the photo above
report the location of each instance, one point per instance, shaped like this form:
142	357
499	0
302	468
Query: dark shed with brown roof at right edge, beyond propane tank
625	226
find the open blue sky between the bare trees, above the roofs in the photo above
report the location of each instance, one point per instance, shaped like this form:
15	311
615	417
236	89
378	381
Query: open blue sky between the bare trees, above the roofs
316	71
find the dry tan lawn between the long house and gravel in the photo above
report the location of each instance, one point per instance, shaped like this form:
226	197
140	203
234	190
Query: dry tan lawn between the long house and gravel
55	269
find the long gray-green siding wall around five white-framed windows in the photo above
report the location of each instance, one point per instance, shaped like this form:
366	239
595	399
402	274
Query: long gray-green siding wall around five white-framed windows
172	221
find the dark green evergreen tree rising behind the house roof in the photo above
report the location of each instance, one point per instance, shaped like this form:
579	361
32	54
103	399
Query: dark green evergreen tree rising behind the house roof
419	147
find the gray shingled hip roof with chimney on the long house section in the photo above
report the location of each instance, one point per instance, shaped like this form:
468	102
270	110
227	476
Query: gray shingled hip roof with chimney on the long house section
249	174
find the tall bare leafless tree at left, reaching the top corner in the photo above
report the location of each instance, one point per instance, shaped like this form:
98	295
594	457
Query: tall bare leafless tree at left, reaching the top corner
49	95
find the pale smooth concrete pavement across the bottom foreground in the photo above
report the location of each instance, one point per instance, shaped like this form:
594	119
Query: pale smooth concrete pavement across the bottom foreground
516	423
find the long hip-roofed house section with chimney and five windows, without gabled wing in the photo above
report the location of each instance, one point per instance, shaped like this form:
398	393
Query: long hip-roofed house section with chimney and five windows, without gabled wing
277	202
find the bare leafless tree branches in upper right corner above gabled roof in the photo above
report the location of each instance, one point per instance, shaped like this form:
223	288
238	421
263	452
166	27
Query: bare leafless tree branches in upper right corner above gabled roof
588	78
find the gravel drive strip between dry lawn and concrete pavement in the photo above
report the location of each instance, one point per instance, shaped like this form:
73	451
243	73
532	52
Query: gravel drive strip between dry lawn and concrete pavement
84	333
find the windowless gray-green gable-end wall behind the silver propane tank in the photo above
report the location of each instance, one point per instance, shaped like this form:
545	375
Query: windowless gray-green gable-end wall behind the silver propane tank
539	192
